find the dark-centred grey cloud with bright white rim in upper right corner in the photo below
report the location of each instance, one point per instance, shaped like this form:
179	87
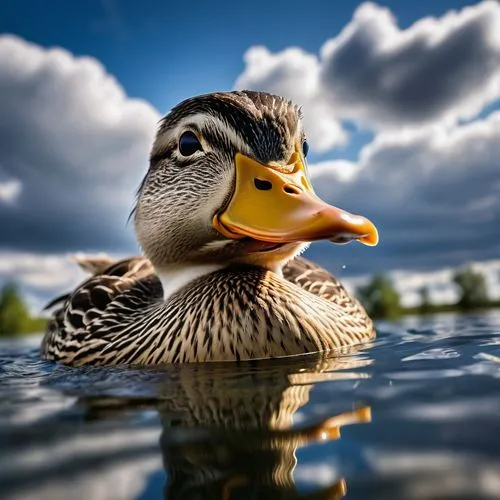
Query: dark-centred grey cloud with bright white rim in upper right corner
445	68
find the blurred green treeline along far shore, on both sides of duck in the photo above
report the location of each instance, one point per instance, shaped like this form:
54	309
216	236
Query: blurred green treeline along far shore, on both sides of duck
379	297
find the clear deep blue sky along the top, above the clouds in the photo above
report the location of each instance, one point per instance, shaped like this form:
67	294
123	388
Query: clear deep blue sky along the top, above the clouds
167	51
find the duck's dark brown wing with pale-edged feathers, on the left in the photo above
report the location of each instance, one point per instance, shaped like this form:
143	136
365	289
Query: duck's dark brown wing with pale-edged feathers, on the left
97	308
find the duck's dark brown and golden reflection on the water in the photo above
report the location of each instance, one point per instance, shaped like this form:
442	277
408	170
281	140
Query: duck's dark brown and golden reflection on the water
229	433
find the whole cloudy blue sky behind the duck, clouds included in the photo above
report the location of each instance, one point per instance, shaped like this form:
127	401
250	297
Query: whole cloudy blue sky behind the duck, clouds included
401	104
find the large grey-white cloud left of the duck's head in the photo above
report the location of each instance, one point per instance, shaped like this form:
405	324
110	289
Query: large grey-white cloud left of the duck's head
73	148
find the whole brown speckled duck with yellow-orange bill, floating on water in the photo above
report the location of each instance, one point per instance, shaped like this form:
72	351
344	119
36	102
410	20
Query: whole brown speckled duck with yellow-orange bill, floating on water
222	215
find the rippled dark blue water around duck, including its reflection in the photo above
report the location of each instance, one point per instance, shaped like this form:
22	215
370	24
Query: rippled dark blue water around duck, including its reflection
416	415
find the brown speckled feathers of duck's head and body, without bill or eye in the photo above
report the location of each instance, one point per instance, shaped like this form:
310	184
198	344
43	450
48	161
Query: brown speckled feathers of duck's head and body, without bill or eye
244	310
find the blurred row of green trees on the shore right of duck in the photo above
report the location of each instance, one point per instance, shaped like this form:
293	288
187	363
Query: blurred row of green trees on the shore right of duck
382	300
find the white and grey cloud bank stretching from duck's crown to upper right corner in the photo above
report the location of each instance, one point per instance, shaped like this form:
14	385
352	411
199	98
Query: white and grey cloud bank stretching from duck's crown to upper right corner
383	77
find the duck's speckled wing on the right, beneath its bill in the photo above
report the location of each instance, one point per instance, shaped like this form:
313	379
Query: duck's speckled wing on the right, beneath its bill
317	280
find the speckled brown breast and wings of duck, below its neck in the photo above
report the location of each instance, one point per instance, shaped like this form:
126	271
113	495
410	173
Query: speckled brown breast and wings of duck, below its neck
119	316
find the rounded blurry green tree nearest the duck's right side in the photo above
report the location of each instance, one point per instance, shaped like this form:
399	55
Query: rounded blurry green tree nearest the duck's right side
380	298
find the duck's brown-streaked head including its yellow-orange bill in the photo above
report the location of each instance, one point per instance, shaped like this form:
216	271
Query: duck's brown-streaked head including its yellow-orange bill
228	183
